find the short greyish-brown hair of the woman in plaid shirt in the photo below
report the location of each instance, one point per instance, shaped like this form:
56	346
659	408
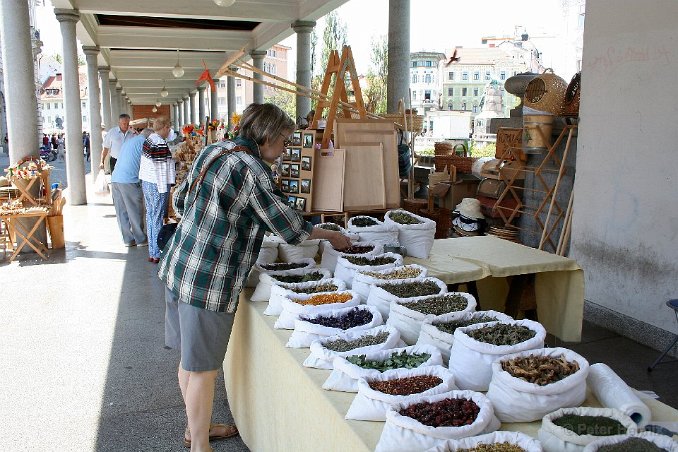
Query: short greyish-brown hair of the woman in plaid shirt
264	122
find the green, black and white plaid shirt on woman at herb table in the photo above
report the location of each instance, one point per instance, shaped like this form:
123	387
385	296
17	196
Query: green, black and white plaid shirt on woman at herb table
222	227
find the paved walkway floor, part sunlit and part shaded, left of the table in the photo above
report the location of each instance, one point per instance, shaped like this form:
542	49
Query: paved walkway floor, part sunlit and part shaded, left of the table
82	359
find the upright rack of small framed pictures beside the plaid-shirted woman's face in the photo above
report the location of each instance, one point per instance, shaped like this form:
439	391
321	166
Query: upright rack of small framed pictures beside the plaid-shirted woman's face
297	170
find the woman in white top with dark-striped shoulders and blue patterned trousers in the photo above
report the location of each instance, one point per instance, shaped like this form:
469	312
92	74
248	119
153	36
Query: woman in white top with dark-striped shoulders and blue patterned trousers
157	174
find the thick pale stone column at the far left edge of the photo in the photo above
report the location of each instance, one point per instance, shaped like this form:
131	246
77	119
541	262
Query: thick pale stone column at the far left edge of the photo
19	87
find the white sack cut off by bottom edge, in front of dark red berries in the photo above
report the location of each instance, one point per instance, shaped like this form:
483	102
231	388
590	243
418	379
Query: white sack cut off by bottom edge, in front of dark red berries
498	441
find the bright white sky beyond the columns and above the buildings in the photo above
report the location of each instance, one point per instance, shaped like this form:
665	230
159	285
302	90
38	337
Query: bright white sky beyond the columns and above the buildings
435	24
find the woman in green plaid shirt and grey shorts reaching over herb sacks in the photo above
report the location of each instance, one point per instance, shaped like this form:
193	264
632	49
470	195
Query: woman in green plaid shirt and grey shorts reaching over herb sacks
225	212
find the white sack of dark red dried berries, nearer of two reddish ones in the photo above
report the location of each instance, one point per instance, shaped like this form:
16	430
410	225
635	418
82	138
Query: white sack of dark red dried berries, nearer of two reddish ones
430	421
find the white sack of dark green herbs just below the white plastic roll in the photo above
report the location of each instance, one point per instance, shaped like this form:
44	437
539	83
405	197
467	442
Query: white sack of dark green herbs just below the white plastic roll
572	429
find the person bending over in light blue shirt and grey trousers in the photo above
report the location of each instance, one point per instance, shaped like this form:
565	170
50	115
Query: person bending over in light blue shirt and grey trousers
128	198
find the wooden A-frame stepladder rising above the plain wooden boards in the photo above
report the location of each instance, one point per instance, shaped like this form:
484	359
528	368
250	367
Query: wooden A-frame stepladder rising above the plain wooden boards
337	69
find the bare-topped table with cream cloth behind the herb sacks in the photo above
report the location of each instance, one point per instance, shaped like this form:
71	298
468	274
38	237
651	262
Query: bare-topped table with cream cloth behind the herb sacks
496	264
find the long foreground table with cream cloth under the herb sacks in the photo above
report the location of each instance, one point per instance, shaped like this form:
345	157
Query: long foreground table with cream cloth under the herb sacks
279	405
